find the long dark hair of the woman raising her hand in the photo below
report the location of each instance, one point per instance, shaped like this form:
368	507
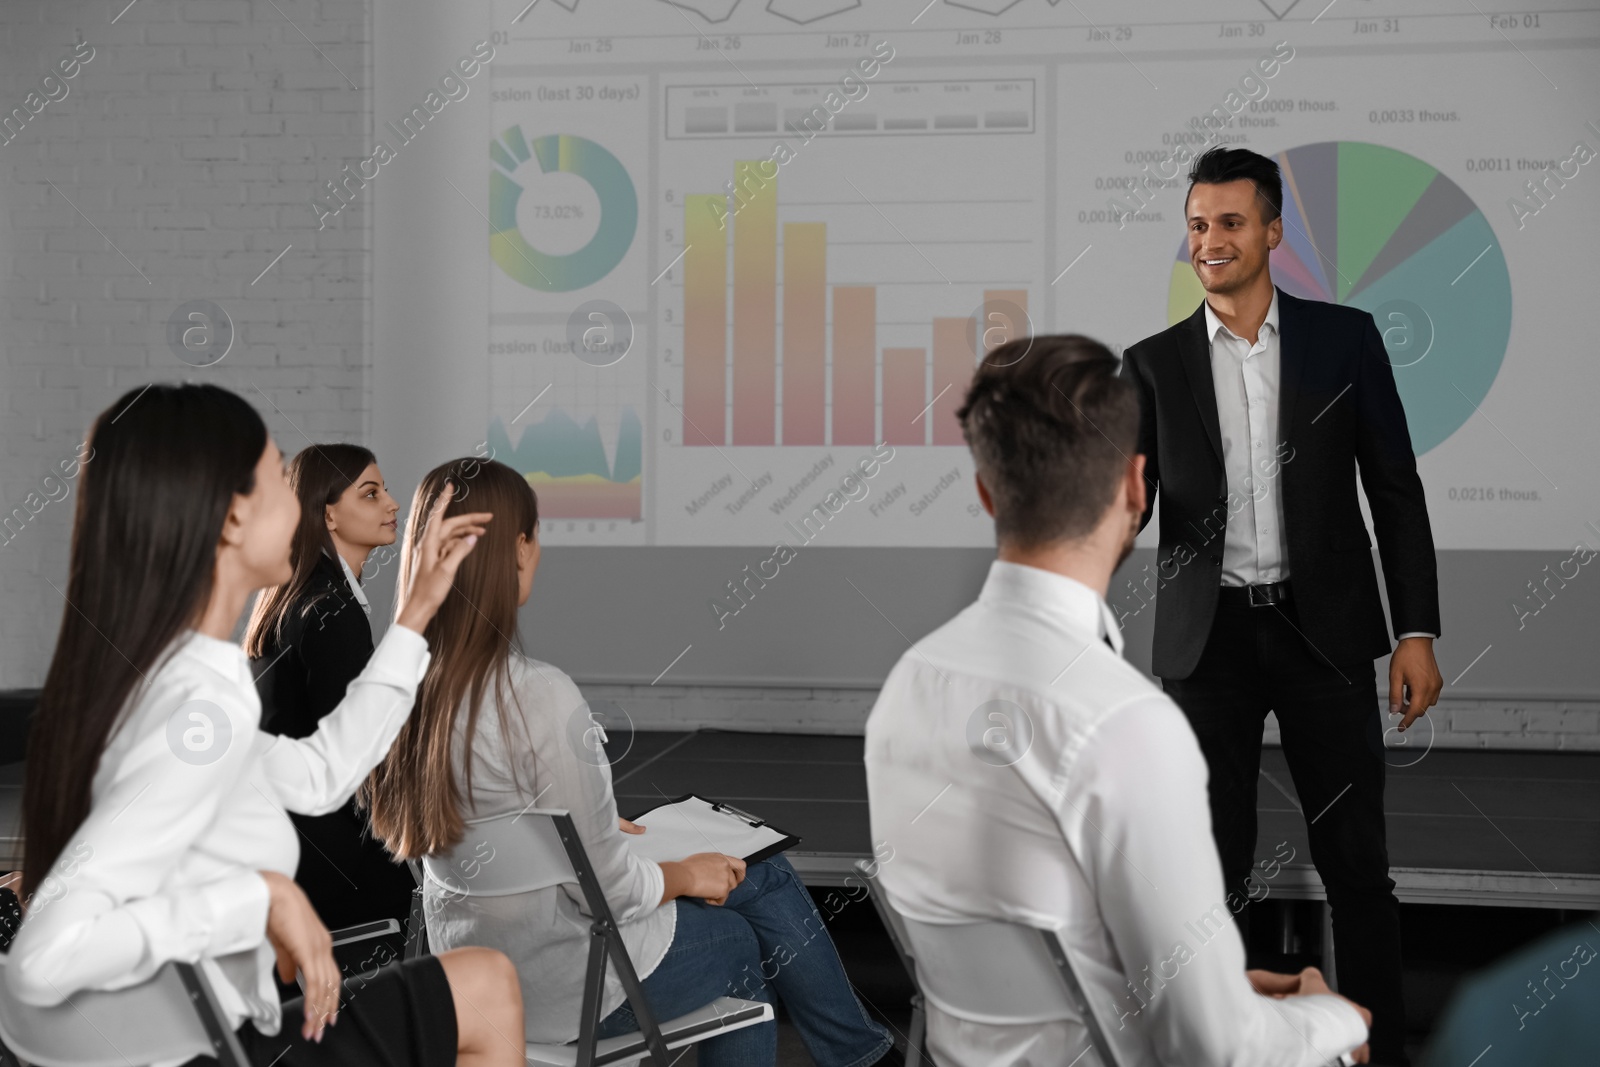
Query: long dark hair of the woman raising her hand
167	463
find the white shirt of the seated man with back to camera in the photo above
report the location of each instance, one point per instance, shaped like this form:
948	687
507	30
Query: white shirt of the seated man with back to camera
1100	831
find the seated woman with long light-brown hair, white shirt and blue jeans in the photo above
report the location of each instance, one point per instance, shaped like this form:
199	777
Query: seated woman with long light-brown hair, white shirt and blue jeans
492	735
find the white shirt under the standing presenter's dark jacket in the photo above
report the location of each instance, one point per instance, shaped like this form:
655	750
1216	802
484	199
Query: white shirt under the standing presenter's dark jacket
1246	378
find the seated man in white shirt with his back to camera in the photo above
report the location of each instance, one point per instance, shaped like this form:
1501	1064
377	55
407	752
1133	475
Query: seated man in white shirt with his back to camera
1022	770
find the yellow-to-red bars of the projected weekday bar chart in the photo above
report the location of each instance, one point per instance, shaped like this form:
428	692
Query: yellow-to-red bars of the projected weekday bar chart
906	398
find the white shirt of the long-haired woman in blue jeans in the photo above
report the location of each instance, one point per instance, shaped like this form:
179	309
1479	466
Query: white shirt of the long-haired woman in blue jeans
546	932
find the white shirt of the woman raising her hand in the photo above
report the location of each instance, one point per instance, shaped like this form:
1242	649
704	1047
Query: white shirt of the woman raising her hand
188	807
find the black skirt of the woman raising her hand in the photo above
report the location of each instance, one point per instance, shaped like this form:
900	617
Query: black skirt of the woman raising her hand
404	1017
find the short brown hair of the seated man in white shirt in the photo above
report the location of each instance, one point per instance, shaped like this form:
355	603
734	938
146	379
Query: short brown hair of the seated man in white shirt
1052	430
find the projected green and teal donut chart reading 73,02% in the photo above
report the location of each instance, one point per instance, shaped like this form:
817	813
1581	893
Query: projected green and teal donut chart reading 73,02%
574	156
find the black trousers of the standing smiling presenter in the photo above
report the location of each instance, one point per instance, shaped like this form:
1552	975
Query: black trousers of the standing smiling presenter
1258	661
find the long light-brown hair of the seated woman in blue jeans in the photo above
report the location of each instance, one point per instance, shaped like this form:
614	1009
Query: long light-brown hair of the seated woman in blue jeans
415	802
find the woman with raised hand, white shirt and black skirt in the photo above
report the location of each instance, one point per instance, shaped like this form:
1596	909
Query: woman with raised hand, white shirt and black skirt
156	810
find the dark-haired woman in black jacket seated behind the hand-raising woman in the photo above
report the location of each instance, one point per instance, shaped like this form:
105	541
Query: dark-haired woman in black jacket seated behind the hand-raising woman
308	641
